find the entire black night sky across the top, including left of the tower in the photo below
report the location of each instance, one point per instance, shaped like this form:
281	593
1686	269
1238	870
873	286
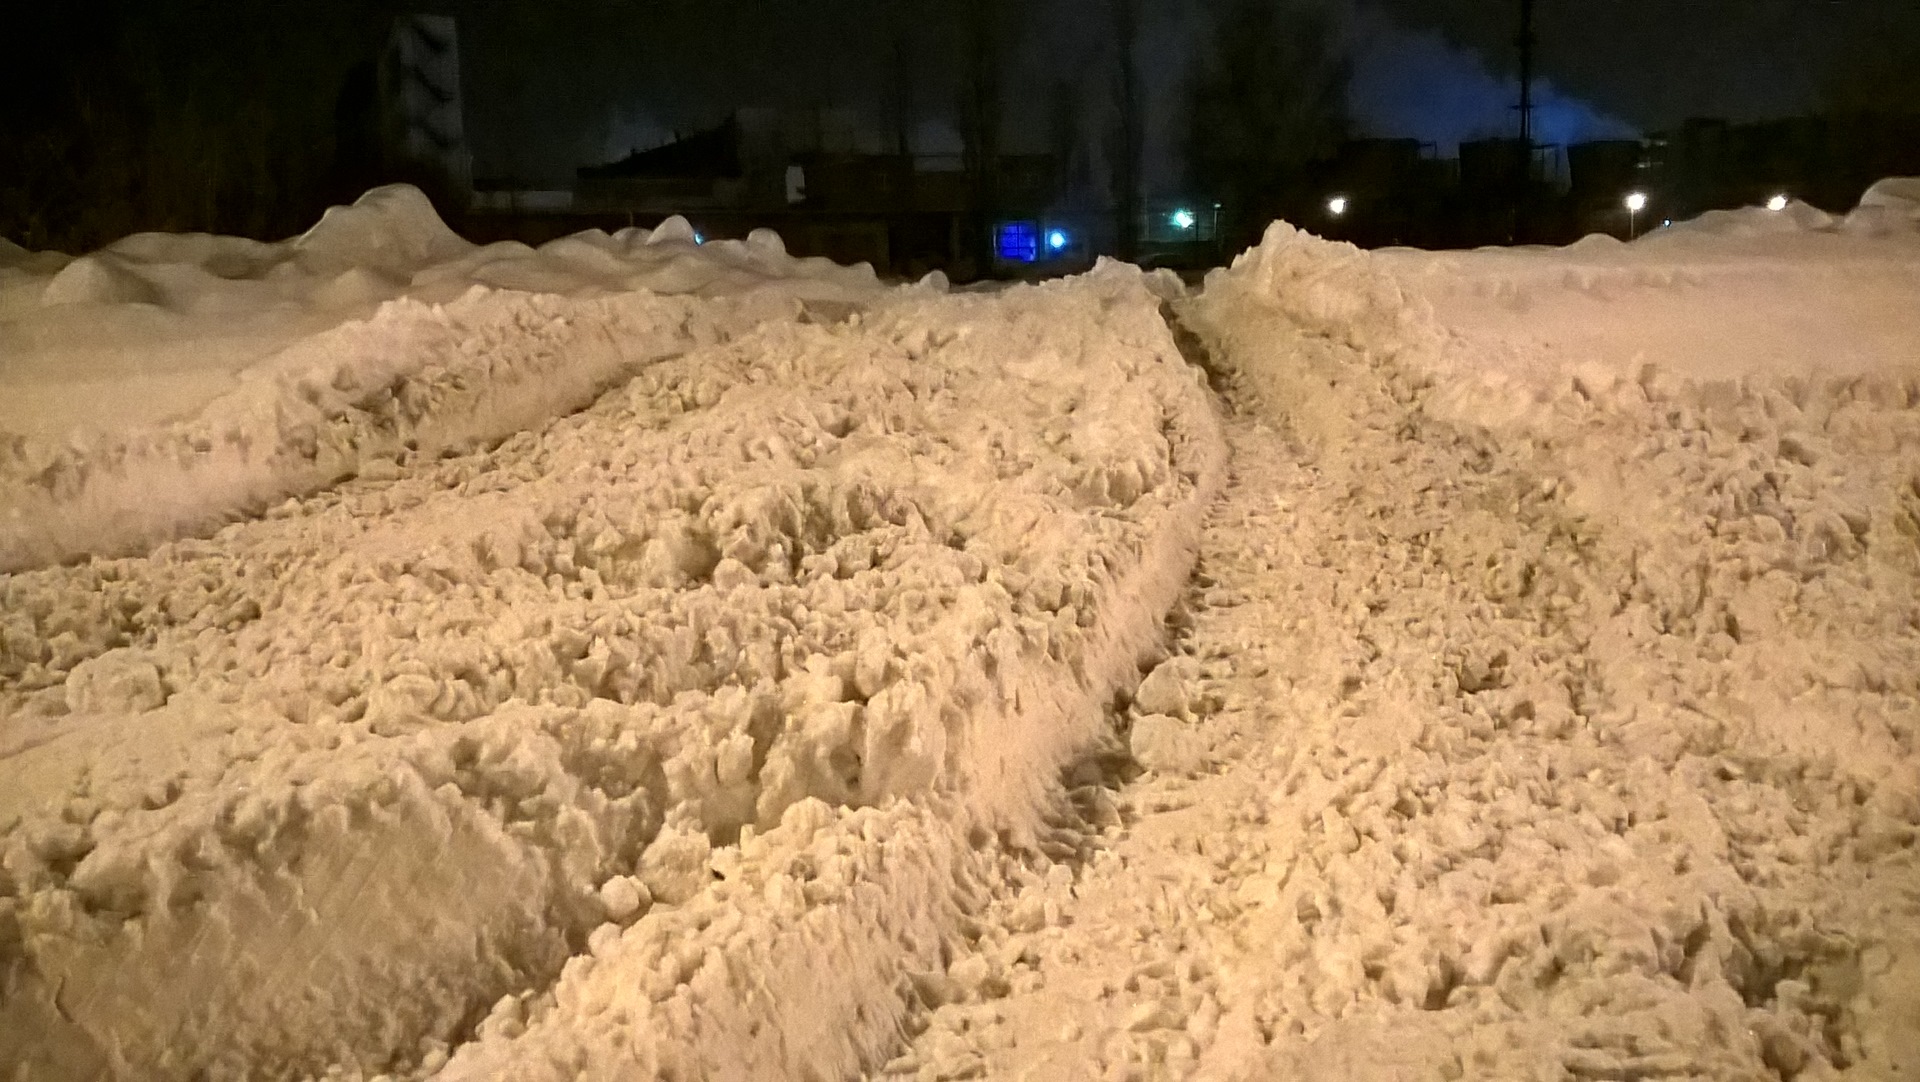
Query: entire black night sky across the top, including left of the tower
556	85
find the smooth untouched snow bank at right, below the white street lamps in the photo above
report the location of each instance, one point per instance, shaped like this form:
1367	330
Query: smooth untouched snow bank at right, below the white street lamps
1506	333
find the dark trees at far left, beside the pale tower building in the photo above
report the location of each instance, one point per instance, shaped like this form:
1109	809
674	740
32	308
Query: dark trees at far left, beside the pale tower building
183	118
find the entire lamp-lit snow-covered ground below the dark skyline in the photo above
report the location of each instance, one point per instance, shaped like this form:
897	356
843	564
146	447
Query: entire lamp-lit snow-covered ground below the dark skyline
642	659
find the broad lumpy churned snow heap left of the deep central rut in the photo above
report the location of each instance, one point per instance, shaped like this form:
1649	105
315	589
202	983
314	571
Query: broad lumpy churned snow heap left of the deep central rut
654	743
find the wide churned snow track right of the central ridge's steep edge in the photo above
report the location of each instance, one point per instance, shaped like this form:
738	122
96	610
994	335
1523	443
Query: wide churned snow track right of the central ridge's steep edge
1416	812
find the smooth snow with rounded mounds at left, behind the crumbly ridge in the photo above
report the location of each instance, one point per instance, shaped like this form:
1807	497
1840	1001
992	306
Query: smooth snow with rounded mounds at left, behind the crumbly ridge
156	327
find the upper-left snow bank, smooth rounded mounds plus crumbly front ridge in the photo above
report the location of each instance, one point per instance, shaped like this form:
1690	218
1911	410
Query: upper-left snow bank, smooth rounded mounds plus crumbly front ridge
172	383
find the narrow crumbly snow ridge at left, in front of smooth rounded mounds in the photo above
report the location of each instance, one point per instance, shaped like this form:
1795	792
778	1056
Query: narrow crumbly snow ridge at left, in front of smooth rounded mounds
412	383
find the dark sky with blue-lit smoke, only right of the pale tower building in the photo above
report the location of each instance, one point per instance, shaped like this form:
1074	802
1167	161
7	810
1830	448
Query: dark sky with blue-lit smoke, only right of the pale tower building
558	82
